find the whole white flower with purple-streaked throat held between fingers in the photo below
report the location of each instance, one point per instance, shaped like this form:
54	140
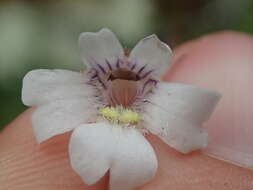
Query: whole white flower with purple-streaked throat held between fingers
112	105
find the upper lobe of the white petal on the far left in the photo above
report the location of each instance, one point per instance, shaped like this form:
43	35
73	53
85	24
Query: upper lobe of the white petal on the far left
43	86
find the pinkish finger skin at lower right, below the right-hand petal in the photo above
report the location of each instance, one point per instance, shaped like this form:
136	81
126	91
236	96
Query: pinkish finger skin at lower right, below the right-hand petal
195	171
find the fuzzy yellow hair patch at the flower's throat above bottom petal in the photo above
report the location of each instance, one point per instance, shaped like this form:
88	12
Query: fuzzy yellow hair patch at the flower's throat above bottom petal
120	115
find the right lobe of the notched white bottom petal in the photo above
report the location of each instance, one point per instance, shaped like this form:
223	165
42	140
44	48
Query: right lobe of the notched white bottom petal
135	161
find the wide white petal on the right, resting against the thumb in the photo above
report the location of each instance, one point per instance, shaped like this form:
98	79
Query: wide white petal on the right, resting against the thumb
176	113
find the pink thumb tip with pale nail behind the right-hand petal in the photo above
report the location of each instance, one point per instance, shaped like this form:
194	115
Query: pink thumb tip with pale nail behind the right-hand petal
223	62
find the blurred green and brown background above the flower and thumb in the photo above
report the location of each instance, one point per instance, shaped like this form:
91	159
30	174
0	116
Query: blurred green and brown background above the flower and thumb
43	34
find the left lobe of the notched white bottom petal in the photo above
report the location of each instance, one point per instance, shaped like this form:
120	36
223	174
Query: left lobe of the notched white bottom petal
91	150
